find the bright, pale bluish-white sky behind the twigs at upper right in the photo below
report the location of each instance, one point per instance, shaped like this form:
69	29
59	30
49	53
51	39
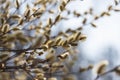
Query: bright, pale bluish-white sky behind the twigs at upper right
107	32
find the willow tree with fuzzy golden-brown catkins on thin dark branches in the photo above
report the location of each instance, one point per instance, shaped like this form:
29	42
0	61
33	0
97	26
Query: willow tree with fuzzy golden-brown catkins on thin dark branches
30	51
